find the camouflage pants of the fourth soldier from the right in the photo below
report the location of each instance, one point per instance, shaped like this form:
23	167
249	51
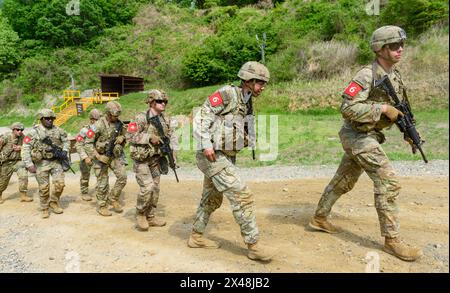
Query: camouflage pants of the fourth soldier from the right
102	187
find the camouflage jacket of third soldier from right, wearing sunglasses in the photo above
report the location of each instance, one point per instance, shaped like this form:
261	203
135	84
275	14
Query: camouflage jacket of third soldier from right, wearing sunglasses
140	133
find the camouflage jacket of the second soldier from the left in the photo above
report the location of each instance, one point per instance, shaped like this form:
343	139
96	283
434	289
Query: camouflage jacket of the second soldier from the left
34	150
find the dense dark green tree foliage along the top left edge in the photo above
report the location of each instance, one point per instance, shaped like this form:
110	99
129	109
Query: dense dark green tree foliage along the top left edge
48	20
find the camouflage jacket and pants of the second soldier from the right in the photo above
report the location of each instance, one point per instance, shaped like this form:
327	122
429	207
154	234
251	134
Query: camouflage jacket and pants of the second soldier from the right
216	130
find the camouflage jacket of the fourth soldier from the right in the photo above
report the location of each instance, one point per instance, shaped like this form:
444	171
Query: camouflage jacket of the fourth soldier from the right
103	132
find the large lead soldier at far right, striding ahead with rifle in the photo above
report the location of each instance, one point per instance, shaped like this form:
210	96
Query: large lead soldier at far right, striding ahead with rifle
367	111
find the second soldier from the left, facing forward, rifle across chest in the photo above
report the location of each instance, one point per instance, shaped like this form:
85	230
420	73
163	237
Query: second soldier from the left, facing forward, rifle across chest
39	159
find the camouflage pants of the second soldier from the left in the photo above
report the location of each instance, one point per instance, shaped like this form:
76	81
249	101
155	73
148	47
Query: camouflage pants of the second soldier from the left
44	170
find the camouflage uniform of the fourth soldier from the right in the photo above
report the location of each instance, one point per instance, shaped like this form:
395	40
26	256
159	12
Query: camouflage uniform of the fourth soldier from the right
104	130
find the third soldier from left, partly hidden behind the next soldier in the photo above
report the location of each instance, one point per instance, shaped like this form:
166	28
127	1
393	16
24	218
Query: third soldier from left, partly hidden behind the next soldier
85	148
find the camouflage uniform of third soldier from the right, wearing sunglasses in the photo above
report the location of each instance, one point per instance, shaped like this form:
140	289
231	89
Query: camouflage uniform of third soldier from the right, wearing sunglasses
147	158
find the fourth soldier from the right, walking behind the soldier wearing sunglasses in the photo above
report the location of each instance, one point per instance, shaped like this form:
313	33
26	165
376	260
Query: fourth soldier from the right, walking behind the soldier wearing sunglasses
108	153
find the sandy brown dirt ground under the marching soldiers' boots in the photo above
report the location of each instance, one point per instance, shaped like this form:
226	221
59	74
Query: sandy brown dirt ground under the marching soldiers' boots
81	240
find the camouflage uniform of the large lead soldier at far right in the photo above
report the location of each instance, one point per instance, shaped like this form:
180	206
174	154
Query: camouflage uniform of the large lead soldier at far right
361	139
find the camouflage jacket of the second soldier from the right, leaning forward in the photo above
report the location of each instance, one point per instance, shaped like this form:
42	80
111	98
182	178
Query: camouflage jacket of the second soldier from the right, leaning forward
219	124
